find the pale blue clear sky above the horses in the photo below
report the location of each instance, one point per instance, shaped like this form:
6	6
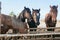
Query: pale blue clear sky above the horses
18	5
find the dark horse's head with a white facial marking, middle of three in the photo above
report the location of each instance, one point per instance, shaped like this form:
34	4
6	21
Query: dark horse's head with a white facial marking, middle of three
36	15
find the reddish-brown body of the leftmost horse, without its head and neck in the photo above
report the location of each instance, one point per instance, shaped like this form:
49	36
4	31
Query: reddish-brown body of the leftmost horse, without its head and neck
10	23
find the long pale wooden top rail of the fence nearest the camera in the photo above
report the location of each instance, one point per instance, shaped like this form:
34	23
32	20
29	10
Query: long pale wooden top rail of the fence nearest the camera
12	35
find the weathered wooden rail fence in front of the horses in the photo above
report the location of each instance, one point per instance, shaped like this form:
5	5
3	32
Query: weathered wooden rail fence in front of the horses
35	35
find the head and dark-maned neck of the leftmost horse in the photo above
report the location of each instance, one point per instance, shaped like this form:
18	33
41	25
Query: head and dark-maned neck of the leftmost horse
25	14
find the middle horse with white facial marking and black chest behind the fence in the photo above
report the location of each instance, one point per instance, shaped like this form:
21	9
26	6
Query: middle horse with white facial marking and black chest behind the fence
35	19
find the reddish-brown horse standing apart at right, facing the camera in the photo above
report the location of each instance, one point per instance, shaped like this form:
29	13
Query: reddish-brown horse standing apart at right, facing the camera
51	17
